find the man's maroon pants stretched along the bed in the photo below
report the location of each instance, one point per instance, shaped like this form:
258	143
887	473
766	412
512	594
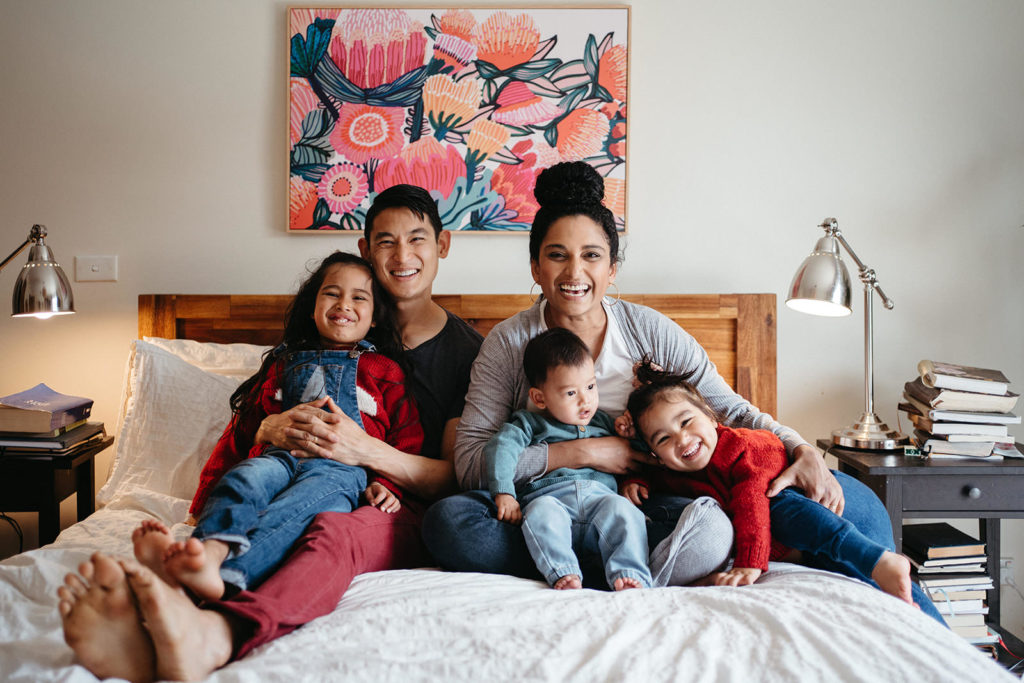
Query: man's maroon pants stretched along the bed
336	548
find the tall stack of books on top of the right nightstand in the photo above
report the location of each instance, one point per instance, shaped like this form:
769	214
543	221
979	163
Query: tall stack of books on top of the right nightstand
960	411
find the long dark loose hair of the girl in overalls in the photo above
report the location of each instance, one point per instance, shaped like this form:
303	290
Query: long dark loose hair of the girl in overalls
302	335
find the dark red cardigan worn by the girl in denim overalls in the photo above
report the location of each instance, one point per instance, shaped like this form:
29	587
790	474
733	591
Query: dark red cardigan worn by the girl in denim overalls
396	422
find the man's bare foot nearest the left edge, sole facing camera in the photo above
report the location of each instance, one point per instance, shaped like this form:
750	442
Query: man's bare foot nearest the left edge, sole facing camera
102	624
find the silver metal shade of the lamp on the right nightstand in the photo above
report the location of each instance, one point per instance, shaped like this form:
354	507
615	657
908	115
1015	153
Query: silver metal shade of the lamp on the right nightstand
822	286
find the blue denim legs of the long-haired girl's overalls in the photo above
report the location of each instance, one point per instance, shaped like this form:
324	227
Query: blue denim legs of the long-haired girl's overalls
263	505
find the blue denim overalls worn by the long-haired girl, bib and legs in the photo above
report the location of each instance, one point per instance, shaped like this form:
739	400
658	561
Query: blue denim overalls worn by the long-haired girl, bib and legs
263	505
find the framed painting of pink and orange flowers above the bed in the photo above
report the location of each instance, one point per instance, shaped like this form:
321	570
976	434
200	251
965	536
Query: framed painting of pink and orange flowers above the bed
471	104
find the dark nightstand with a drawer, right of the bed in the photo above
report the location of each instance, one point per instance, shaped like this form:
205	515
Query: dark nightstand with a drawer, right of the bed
914	488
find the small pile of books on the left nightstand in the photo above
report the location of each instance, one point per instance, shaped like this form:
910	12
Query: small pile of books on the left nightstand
42	422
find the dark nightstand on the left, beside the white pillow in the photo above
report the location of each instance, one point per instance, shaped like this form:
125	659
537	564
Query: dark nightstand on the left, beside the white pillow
40	483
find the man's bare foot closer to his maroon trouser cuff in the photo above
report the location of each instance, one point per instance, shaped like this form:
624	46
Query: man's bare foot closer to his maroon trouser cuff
191	644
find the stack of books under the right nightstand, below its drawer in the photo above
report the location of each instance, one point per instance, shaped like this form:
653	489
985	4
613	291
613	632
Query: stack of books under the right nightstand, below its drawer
951	568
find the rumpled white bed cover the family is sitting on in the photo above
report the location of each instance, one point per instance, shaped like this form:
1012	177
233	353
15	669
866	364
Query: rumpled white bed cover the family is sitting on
795	625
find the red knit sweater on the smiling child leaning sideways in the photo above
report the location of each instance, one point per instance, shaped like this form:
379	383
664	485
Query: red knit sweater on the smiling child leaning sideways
738	477
